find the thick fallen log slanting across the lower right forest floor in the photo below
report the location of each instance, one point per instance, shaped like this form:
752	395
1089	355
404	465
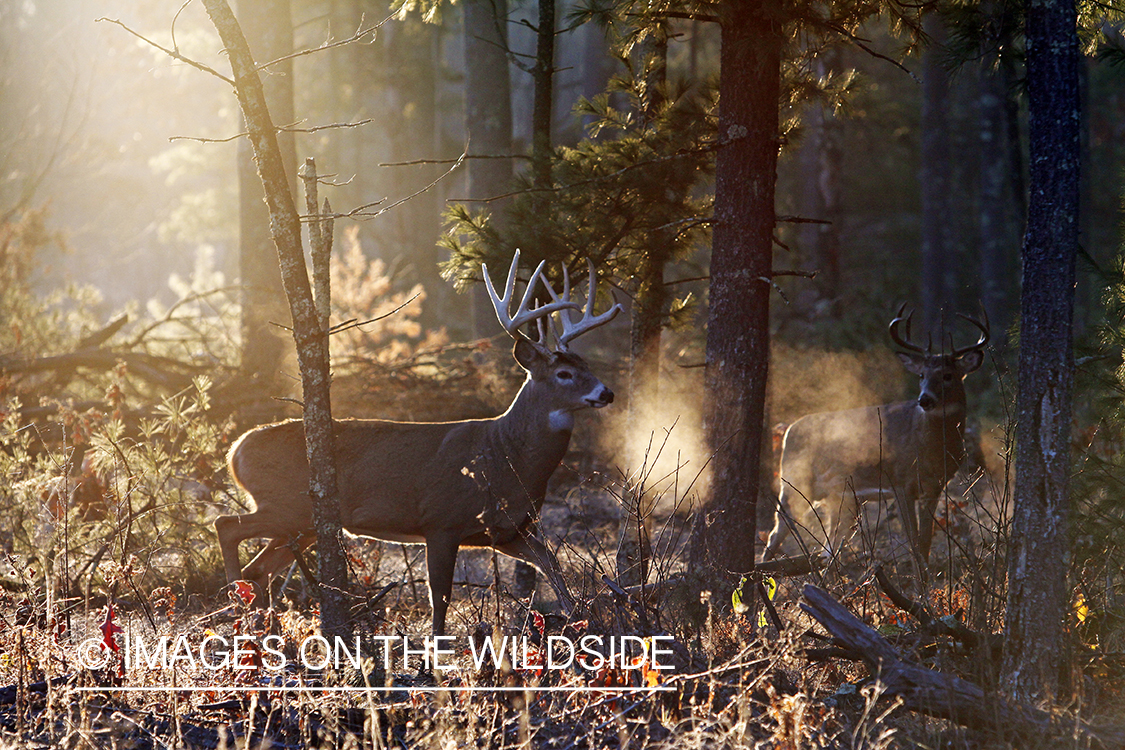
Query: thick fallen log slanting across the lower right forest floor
947	697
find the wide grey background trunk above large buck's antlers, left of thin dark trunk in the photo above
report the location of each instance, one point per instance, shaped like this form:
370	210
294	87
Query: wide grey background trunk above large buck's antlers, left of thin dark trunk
488	122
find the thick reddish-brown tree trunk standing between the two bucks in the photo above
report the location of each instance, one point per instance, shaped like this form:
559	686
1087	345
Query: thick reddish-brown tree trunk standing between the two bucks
742	257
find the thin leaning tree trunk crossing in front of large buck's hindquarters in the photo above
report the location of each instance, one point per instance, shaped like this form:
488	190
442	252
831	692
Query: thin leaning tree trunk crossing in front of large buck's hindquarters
311	337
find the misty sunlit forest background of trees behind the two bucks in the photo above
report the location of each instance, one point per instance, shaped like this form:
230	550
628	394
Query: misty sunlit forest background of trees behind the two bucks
134	224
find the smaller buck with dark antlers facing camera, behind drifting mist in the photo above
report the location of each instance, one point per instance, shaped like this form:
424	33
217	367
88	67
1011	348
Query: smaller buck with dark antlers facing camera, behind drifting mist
910	449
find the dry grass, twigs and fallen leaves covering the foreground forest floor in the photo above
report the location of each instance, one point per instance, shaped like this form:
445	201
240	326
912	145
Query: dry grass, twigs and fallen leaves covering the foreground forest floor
734	681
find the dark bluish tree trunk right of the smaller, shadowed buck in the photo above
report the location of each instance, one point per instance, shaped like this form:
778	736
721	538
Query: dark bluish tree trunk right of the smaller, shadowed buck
1038	561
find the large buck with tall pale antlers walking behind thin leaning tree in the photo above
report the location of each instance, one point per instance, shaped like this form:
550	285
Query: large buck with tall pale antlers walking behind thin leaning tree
478	483
